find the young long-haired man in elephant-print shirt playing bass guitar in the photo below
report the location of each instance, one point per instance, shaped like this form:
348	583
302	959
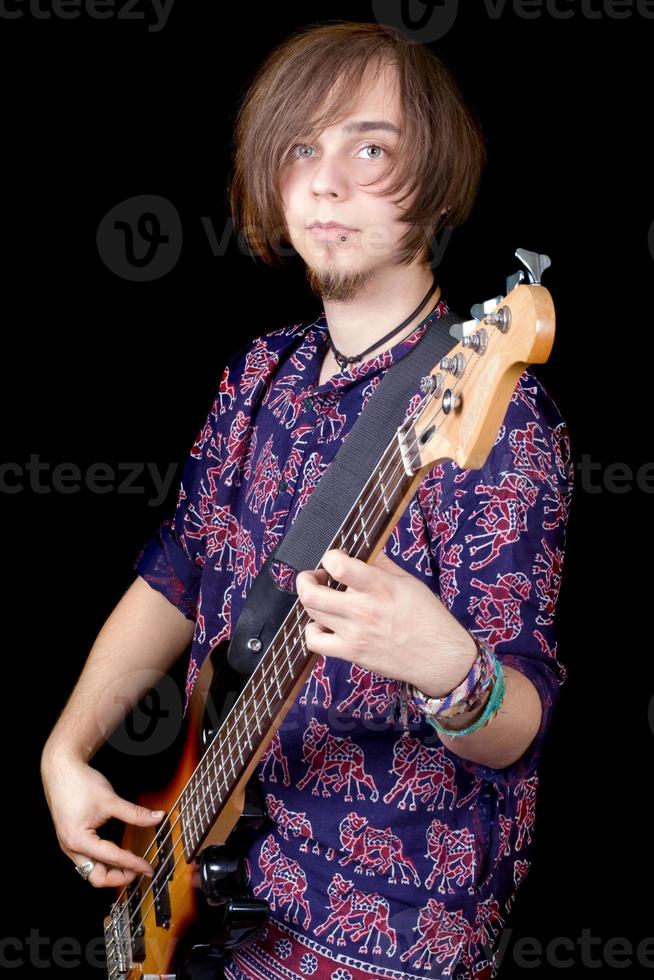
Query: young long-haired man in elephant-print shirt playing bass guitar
412	867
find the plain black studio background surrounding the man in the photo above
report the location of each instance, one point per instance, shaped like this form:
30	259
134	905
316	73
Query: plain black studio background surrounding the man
101	369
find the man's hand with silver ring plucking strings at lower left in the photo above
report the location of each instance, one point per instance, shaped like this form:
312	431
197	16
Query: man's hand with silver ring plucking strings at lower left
81	799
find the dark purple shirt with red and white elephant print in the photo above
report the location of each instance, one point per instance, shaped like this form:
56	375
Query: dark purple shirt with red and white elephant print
390	856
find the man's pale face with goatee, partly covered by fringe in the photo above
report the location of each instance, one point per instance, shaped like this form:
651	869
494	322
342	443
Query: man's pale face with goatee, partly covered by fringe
325	181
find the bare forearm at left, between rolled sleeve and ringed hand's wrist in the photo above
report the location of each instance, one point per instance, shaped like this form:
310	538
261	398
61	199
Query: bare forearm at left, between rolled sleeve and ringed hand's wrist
140	640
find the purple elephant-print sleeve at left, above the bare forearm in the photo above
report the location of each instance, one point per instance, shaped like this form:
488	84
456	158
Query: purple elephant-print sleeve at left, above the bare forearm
172	560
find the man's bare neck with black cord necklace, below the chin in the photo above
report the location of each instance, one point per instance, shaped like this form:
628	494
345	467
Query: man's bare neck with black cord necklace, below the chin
381	304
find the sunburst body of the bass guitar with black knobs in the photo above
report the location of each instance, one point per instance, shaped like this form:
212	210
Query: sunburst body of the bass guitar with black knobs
205	901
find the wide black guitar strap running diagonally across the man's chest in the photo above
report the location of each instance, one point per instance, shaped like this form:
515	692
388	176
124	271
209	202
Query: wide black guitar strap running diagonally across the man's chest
302	548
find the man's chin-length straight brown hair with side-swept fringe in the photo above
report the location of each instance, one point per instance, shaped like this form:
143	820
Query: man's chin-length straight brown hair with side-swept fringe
441	152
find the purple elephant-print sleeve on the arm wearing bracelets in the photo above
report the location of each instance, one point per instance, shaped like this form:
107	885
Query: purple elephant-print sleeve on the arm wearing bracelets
499	535
